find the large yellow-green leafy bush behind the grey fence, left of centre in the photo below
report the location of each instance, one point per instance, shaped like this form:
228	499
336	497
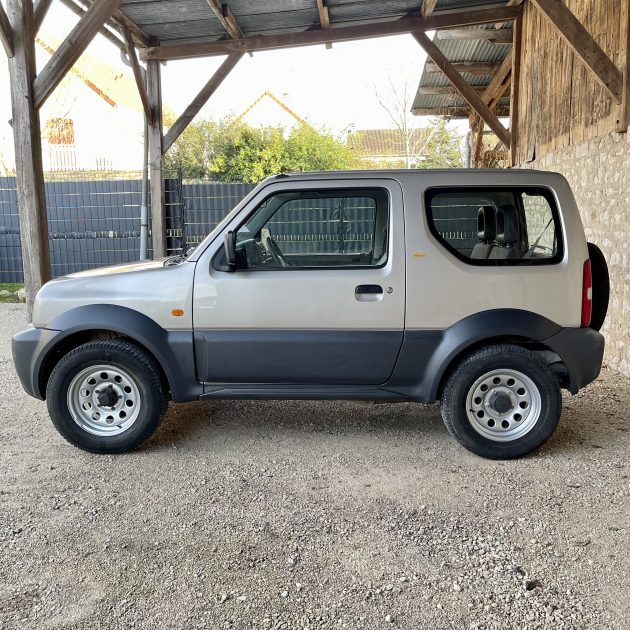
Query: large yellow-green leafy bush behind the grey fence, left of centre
230	151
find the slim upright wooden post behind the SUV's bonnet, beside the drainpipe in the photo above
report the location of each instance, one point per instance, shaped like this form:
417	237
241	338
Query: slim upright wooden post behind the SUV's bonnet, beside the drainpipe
156	160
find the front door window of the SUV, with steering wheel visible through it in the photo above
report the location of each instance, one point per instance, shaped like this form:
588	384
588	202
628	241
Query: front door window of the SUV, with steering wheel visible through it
336	228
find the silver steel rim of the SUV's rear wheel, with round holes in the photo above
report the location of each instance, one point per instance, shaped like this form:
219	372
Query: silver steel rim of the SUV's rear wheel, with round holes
503	405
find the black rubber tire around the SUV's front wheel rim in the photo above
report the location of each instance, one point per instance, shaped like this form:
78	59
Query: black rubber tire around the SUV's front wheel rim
121	355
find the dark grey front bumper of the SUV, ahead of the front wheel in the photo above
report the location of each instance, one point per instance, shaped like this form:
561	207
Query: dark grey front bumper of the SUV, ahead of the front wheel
30	347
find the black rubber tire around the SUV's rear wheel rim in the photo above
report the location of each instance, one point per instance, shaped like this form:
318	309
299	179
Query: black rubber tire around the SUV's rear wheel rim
462	382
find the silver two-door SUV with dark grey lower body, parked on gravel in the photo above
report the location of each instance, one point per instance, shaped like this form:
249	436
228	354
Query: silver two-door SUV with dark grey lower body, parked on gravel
473	288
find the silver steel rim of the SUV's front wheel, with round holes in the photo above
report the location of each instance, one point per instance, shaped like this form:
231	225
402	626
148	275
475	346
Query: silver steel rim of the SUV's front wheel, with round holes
104	400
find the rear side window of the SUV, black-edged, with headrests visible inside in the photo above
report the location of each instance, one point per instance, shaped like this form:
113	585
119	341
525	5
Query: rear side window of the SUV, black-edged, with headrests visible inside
496	225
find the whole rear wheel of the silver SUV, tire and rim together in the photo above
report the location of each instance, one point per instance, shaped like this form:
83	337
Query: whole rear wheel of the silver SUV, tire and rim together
501	402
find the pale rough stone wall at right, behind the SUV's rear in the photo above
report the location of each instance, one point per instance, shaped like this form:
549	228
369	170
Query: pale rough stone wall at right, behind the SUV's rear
599	173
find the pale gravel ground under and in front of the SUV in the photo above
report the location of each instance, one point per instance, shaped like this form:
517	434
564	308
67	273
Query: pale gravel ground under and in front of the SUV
313	515
